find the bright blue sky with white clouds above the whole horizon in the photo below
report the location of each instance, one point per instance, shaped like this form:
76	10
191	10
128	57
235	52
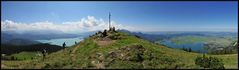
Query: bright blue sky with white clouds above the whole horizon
83	16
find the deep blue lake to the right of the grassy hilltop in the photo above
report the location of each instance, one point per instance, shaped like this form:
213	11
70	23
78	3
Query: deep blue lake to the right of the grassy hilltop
197	47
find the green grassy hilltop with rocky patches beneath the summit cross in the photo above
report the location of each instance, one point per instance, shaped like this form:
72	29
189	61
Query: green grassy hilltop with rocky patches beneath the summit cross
118	50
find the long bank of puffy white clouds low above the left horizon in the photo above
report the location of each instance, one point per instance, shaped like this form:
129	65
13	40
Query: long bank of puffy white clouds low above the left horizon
85	24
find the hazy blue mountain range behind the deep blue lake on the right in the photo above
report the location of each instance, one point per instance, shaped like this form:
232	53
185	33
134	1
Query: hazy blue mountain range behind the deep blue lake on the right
155	36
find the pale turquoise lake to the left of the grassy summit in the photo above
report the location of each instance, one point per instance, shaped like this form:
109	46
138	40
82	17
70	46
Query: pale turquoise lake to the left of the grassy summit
69	41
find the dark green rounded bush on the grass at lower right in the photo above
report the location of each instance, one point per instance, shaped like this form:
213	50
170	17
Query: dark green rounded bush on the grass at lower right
209	62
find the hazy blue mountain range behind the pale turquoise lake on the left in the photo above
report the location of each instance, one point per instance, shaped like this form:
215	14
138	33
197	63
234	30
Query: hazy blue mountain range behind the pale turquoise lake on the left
28	38
